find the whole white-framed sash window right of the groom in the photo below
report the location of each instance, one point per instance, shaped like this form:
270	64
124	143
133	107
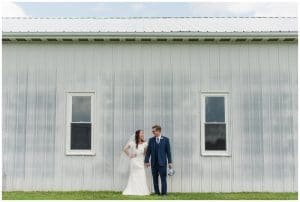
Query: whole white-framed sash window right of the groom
214	127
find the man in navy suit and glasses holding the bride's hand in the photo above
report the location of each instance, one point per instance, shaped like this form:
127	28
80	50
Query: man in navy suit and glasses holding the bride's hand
159	150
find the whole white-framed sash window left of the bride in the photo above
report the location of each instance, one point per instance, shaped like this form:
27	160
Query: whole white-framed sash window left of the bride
80	107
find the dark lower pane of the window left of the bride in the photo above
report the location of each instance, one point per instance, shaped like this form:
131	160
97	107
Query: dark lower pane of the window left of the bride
80	136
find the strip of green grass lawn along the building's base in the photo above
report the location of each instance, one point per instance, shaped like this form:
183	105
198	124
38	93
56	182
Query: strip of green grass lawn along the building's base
107	195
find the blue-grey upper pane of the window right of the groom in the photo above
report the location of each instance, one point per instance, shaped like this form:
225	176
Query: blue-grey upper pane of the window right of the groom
214	108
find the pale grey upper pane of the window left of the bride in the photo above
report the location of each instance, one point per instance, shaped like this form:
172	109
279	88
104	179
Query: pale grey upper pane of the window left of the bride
81	108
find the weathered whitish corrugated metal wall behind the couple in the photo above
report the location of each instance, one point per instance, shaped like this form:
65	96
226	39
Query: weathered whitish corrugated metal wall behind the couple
138	85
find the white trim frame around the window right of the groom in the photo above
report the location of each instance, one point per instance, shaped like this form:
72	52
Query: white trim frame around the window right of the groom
202	122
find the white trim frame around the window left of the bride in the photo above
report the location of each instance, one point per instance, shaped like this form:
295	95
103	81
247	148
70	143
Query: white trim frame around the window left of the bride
68	125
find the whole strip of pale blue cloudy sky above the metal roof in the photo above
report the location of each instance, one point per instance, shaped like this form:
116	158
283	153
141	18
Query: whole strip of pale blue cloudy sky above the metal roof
148	9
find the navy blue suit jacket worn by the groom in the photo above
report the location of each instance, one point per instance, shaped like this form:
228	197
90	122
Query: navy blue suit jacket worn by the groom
164	151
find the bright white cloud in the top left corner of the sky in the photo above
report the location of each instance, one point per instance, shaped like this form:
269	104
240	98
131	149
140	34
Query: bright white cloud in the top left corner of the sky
11	9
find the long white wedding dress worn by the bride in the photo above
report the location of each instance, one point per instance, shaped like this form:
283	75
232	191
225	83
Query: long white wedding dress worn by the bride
137	184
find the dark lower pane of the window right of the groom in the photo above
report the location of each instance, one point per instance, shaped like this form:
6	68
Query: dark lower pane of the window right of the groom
215	137
